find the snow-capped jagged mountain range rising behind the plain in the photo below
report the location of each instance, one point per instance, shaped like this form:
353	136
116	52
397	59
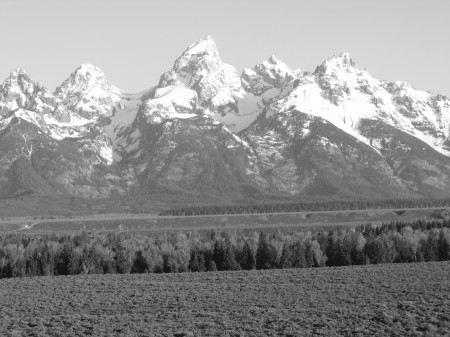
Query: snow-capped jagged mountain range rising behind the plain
205	133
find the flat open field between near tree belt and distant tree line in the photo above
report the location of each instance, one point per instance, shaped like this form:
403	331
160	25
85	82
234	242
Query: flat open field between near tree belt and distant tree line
304	220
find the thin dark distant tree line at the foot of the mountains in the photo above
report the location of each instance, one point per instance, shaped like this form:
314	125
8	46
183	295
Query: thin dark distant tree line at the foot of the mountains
249	207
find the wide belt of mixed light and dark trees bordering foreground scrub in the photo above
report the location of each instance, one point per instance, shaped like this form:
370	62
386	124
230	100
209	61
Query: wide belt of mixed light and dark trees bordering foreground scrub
170	252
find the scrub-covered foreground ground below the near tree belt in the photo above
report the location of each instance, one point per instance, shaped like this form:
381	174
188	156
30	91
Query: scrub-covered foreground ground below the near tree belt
378	300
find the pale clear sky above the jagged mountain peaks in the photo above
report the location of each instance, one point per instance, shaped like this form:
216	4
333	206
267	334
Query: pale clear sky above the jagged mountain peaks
134	41
